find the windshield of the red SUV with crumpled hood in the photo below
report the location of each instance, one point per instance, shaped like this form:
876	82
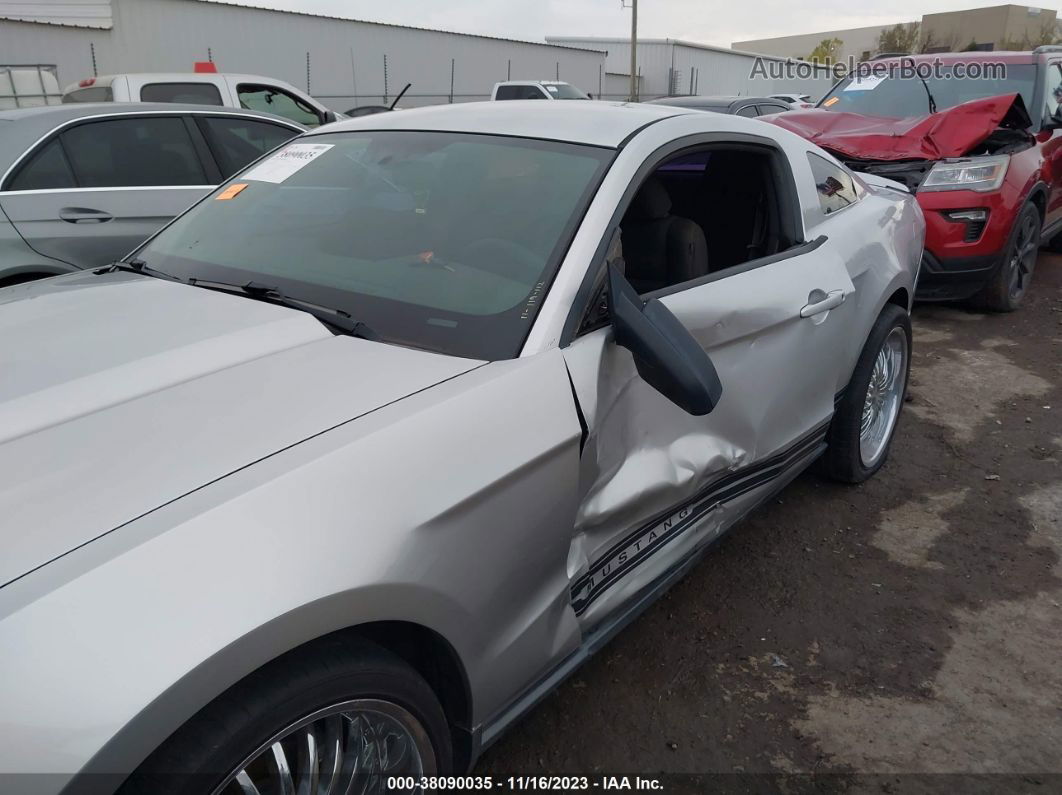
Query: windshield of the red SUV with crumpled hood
906	97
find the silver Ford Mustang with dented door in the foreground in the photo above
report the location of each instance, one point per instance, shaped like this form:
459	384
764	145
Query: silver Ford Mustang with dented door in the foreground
346	469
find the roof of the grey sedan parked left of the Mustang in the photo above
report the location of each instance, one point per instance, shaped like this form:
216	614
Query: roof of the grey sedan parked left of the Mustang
21	129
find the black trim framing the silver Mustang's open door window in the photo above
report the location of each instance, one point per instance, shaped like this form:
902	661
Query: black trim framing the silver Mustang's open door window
791	222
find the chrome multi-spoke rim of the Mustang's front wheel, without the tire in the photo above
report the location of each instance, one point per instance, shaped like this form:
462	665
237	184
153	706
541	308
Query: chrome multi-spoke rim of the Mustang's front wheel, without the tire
349	749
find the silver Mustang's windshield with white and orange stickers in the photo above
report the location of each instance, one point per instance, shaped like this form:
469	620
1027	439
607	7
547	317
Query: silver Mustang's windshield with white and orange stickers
441	241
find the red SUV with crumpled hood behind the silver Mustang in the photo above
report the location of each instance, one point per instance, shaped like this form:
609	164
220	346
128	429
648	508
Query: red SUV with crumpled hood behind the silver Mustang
984	157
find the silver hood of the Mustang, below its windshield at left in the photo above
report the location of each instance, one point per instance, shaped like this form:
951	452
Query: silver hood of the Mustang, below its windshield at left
122	393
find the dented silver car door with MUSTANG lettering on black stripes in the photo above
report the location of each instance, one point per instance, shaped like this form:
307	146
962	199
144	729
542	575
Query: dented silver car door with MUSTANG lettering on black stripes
657	482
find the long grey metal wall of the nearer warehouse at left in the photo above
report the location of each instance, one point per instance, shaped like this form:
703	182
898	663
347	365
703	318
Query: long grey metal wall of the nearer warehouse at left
347	59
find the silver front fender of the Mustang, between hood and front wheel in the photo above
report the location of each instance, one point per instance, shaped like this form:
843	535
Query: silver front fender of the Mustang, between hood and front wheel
452	510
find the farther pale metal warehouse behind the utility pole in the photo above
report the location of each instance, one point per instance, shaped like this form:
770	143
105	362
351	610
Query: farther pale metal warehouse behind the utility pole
670	67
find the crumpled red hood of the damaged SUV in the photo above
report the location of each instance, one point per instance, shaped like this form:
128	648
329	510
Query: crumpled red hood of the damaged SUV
951	133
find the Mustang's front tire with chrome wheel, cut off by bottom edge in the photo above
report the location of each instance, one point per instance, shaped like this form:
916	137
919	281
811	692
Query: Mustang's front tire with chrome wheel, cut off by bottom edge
341	715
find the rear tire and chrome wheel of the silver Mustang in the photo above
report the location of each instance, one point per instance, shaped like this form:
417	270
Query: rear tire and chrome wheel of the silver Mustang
866	420
